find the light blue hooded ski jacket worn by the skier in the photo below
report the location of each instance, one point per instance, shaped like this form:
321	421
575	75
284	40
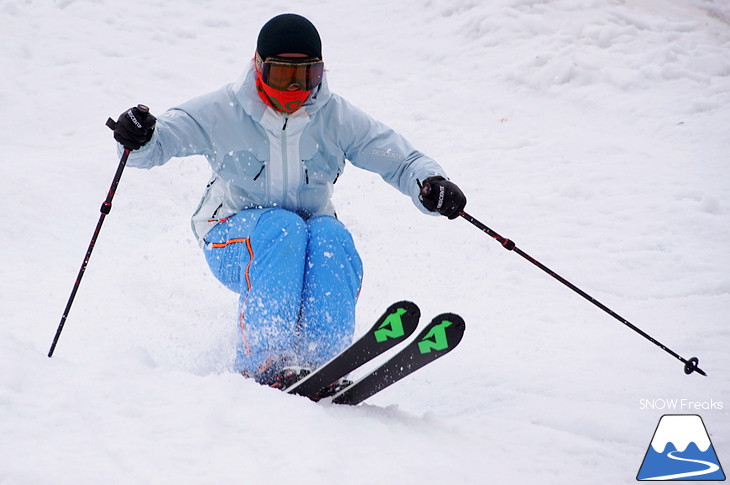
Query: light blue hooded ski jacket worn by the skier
263	158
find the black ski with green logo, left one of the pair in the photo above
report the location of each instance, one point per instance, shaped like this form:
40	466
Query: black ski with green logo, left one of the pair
395	325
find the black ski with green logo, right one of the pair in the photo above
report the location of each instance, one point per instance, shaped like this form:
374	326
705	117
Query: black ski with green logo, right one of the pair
437	339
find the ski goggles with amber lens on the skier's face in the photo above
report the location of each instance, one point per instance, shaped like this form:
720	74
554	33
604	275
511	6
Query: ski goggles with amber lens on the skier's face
283	73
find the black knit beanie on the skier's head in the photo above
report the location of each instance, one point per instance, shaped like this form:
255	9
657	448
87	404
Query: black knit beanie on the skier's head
289	32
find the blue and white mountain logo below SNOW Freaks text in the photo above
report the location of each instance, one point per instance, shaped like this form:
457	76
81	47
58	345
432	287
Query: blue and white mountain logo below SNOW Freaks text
681	450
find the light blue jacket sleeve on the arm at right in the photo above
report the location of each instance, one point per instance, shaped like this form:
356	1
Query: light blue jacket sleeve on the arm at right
373	146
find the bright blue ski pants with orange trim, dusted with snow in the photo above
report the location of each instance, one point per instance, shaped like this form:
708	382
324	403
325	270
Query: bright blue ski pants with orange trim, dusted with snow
298	282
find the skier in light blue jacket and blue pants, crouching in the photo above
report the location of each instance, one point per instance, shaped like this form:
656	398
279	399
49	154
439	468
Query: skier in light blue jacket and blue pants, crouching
277	141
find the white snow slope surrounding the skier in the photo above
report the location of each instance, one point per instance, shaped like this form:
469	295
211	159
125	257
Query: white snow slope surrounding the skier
593	133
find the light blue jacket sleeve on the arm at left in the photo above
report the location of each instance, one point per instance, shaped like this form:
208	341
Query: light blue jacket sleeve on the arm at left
177	134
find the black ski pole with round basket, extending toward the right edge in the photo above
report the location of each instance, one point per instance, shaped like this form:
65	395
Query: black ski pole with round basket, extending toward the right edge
690	365
